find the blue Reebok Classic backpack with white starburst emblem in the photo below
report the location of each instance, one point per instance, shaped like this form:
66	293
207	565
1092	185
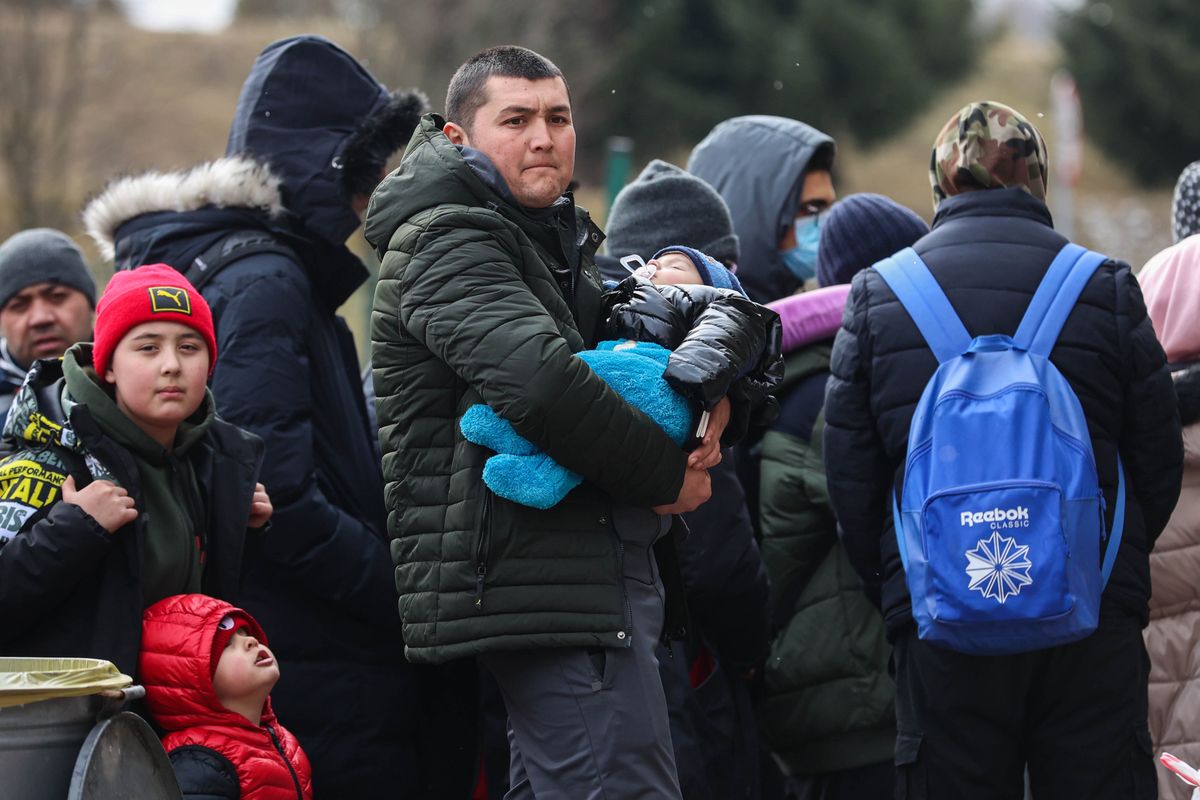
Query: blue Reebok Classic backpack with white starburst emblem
1001	518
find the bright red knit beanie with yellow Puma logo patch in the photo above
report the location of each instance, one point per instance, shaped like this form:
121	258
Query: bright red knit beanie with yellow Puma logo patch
148	294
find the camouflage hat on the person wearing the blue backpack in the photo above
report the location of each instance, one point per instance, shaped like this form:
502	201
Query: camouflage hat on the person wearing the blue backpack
988	146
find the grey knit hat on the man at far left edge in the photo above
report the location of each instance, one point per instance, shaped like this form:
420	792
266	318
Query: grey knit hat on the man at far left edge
43	256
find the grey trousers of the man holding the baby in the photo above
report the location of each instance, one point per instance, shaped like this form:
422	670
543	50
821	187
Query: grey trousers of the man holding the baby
593	724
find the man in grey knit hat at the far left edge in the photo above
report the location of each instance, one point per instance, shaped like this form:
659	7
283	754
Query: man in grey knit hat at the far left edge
47	303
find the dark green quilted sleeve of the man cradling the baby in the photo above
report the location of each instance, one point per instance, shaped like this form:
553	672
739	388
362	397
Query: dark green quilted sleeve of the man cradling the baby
465	299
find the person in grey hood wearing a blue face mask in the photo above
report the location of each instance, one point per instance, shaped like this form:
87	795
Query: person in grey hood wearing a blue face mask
776	176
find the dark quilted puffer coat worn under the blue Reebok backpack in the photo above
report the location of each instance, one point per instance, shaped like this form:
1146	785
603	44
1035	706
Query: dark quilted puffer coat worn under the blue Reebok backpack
989	250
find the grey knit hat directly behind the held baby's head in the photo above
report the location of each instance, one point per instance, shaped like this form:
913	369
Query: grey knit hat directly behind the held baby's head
667	206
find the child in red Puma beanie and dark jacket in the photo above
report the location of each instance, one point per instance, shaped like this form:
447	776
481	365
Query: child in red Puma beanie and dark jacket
124	486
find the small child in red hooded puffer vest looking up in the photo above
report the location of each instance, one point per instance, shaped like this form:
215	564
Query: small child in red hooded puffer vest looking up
208	676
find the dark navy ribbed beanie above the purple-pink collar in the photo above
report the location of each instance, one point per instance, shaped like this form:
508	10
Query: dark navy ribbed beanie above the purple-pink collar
860	231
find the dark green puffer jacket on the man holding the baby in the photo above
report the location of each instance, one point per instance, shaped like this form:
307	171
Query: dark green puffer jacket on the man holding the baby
478	303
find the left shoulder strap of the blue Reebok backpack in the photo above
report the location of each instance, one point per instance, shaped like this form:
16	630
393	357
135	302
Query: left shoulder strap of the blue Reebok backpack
921	296
